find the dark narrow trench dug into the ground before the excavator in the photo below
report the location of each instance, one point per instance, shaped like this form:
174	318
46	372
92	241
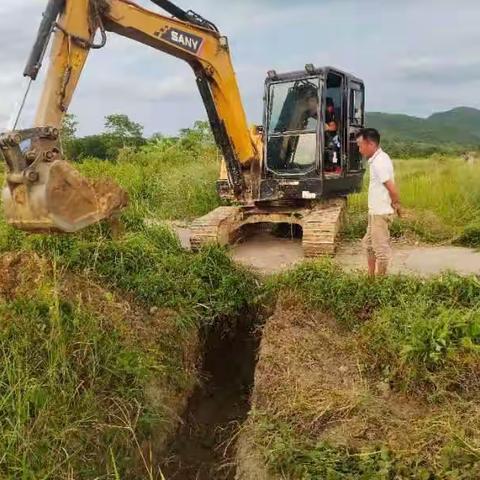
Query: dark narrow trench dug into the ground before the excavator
204	445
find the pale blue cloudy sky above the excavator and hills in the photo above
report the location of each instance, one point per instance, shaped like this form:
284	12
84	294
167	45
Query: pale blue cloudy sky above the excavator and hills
415	56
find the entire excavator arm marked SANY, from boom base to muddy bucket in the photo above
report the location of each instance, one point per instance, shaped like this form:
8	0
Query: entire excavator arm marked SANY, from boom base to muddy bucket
43	192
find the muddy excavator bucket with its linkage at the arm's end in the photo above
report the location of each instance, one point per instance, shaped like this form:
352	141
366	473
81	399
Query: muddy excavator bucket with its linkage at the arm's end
44	193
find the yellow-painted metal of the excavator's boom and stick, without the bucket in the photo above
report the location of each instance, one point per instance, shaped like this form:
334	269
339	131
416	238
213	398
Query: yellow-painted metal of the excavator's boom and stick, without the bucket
125	18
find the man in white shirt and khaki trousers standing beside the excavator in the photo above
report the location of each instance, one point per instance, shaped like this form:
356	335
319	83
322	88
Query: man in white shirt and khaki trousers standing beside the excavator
383	201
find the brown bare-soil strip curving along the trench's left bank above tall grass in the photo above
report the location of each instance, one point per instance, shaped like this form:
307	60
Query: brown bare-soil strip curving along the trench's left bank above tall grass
25	275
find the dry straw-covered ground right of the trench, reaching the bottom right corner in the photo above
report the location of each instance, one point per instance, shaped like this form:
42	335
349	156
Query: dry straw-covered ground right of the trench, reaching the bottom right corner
317	408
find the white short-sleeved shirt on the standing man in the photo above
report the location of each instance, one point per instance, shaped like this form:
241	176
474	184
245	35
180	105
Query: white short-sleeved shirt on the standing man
381	170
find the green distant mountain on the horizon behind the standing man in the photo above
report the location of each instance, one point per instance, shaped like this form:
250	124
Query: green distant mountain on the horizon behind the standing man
457	126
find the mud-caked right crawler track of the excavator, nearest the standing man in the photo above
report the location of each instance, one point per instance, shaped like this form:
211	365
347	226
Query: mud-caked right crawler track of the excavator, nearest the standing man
321	228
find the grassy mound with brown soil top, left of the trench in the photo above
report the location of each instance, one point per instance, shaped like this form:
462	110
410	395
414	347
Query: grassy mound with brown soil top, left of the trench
78	363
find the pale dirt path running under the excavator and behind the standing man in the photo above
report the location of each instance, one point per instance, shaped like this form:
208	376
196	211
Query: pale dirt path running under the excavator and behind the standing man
268	254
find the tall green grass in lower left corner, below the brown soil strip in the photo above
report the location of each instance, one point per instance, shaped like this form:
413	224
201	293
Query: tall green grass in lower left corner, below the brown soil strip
66	380
